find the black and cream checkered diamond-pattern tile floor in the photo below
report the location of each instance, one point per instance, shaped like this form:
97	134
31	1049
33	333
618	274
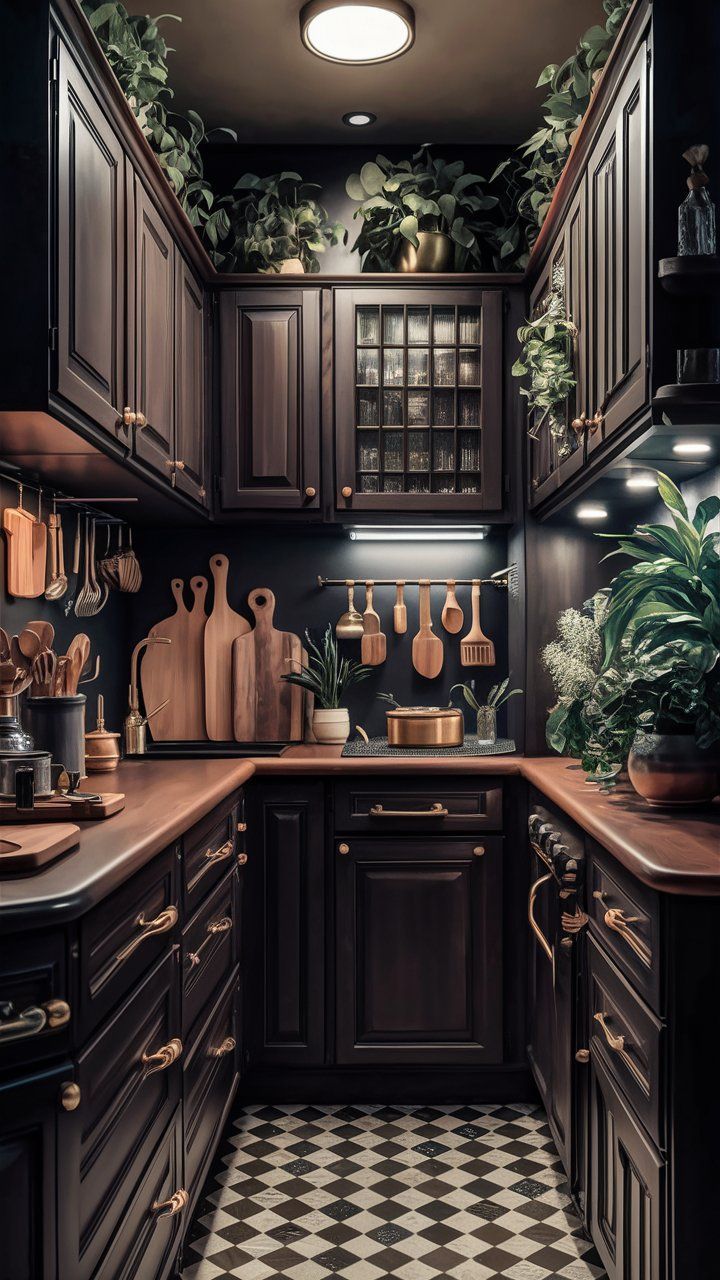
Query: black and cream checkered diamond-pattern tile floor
364	1192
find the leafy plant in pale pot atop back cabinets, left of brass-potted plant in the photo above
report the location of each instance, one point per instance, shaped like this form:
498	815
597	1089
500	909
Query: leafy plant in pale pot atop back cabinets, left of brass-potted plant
276	225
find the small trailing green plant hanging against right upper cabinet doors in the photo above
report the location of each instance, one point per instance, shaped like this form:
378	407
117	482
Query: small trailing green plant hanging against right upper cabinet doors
548	360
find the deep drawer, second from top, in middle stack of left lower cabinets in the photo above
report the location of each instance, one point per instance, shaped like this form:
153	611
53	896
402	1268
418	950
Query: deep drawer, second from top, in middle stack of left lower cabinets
130	1081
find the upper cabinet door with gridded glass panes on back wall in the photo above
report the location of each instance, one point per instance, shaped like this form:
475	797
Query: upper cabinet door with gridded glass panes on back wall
418	386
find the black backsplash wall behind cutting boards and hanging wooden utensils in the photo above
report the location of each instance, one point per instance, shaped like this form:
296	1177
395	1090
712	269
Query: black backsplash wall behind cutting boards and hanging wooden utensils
289	563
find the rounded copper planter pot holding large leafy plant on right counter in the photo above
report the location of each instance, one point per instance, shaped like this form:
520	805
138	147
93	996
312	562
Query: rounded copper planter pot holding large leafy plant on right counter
671	770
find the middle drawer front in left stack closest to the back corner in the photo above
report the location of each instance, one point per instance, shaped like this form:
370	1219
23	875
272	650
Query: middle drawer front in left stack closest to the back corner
209	950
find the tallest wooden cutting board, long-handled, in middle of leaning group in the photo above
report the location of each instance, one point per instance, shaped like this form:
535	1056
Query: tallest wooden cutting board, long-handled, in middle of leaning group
224	627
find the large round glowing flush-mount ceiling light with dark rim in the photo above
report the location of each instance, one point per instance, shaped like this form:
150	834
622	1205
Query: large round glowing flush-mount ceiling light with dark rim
362	31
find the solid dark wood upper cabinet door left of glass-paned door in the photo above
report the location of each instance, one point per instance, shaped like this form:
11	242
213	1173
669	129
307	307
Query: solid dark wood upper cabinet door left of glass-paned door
271	399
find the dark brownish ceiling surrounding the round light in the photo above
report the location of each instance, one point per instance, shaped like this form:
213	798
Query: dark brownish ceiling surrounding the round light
470	77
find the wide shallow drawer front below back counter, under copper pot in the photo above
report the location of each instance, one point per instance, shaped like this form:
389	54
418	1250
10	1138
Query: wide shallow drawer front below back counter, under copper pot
449	807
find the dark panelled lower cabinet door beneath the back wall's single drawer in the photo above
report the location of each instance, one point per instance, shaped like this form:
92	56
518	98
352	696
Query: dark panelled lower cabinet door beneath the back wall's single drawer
420	952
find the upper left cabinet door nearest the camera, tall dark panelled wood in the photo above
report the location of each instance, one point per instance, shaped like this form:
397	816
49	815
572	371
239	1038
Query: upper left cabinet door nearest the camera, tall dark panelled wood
92	257
